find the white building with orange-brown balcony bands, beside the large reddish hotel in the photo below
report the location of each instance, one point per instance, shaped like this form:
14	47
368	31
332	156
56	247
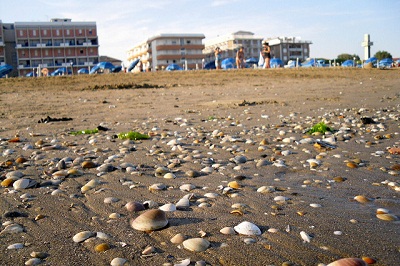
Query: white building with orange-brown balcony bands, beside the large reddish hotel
164	49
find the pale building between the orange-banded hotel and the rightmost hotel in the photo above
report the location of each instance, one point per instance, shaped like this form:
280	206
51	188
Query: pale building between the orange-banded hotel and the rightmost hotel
231	43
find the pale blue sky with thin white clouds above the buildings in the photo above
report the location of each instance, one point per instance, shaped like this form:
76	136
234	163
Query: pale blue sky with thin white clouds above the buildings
334	27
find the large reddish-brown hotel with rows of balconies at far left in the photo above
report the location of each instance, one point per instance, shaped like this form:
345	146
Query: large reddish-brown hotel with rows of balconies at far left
51	45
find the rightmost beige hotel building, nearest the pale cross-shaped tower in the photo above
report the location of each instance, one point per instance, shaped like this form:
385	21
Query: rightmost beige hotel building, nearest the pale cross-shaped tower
289	48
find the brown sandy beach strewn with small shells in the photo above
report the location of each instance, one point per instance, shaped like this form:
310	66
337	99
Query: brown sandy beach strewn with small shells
247	107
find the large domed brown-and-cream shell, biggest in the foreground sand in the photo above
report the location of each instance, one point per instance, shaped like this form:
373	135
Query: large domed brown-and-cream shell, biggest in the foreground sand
150	220
